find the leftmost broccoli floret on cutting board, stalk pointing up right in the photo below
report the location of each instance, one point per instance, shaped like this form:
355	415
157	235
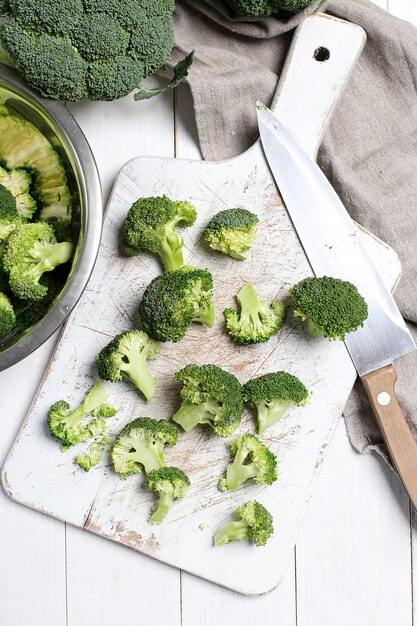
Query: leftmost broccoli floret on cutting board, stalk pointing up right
67	426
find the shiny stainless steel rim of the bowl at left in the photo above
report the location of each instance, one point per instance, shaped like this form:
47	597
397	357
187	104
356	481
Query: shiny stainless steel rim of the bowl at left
93	219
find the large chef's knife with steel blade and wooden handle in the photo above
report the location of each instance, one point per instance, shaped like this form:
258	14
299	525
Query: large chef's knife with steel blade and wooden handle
334	247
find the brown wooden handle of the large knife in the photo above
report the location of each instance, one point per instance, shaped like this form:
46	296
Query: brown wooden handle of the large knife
402	446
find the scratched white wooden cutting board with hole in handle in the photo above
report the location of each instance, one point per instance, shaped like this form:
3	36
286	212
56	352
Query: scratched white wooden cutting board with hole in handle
38	475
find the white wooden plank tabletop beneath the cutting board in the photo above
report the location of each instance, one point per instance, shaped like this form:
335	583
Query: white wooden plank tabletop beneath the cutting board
353	563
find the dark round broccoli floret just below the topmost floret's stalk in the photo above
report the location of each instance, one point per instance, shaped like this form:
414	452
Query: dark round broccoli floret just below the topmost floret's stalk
174	300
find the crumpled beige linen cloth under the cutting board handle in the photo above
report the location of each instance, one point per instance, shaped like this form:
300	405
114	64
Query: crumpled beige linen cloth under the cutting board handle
369	152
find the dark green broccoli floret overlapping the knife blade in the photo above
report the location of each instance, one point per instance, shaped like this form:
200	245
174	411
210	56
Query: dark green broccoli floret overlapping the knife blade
330	306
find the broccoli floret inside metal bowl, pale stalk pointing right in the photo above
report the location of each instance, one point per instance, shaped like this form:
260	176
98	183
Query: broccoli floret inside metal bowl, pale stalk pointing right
30	251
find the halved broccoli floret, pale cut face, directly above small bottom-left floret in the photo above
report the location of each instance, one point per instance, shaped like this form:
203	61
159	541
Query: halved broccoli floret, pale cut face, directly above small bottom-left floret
141	445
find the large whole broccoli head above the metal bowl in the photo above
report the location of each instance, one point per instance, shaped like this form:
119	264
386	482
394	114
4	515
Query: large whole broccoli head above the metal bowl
100	49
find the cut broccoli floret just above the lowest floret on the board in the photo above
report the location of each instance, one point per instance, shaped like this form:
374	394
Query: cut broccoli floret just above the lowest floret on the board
253	460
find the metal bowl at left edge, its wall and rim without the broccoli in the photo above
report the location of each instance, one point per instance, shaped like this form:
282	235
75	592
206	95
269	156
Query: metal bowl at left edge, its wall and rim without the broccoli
58	125
